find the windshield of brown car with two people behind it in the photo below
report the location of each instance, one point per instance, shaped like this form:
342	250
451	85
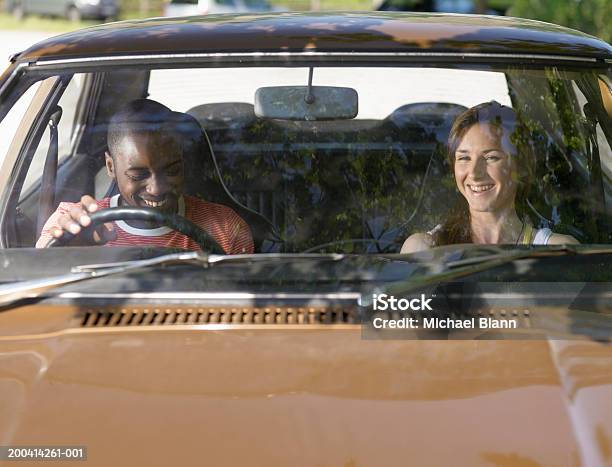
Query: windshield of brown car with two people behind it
433	156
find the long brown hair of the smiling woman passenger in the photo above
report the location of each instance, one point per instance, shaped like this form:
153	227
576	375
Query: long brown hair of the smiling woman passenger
503	121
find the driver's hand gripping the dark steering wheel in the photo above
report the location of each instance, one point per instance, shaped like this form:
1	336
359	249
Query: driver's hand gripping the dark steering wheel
77	219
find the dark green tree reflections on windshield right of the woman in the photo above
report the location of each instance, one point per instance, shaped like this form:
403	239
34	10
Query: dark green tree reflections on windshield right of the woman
564	190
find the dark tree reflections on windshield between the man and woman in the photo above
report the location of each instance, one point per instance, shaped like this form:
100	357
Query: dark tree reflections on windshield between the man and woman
338	182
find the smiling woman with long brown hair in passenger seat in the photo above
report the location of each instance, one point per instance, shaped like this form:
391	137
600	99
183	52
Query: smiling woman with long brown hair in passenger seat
492	167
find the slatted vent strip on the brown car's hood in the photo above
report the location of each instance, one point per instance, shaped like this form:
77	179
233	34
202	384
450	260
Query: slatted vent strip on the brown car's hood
126	317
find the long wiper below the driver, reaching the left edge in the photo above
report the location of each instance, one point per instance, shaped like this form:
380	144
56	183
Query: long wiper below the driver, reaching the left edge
12	293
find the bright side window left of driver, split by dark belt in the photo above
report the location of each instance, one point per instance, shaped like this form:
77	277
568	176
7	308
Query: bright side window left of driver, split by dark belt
67	132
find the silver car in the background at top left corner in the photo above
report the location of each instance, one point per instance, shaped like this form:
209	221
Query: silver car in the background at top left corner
74	10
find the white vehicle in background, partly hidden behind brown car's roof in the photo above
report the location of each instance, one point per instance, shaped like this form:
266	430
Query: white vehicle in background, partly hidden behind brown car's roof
203	7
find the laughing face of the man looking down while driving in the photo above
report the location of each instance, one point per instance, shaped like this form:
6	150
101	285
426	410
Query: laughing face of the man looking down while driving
148	168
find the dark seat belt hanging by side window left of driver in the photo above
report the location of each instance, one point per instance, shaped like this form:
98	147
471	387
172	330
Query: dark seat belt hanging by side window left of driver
46	202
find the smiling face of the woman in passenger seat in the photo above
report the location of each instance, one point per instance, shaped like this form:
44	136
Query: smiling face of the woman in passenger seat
484	172
